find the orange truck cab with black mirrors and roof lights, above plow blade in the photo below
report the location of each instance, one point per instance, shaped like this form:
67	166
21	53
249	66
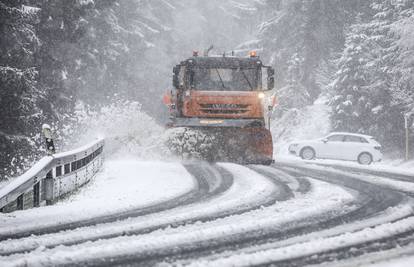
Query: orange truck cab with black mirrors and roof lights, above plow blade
219	87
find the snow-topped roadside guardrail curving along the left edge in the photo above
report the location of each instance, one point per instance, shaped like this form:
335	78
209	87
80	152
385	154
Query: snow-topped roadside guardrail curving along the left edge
52	177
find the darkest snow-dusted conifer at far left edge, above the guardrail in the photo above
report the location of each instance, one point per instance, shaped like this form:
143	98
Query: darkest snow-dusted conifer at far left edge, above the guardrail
21	99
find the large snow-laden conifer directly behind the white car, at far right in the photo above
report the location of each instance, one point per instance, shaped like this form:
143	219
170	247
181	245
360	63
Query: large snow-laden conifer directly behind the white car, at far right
370	89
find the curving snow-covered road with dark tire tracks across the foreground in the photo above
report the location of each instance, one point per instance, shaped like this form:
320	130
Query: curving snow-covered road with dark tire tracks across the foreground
290	214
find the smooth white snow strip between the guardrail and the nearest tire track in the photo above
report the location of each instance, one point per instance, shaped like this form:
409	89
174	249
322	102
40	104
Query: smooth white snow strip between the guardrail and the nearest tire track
121	186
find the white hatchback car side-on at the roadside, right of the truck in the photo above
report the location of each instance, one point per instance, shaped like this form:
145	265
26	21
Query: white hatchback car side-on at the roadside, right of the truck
343	146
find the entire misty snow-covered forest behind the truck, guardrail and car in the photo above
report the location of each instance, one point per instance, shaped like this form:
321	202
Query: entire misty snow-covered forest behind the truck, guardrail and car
354	58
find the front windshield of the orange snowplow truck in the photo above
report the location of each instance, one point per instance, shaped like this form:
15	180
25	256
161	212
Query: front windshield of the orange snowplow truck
225	79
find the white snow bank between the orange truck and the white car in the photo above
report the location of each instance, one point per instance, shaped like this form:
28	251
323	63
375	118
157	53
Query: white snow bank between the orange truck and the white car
297	124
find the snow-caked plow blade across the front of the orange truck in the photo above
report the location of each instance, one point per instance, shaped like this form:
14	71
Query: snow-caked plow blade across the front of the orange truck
244	145
